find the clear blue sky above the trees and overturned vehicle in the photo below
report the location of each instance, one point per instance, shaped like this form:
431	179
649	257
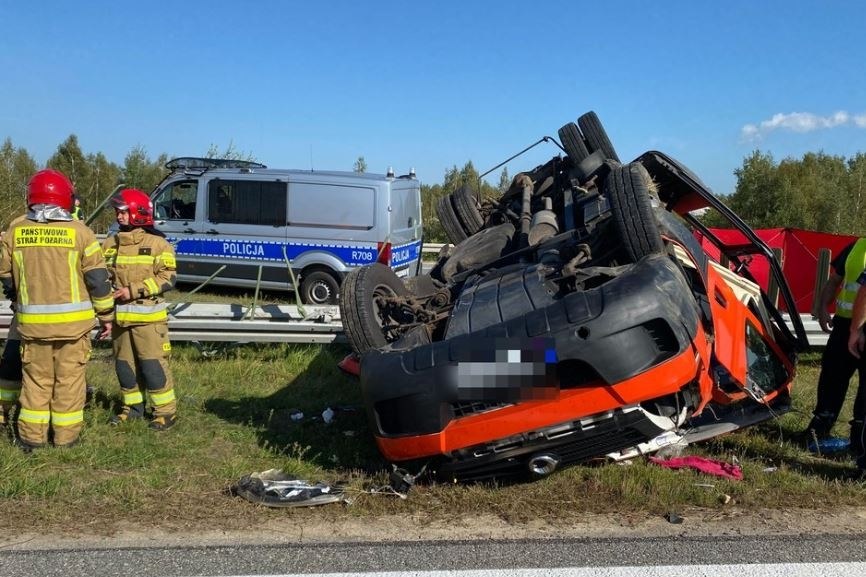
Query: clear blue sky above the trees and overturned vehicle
431	85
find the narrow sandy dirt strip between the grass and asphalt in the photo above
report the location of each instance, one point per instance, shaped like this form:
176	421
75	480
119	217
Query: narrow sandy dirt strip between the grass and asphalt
296	527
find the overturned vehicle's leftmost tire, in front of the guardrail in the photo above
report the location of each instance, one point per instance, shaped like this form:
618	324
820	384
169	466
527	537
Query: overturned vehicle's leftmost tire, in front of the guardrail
362	317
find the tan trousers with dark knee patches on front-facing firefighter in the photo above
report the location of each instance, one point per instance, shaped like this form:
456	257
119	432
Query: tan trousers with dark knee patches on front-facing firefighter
141	360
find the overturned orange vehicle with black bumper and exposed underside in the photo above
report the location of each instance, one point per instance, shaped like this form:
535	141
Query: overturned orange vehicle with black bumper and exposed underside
575	318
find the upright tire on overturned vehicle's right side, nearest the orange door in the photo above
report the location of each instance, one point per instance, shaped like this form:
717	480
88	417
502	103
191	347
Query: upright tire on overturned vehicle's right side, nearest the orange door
627	190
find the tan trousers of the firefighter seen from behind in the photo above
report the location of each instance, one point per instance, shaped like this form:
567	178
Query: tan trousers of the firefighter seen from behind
52	391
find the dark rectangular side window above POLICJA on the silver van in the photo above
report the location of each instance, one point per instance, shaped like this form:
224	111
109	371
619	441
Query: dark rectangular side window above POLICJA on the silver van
247	202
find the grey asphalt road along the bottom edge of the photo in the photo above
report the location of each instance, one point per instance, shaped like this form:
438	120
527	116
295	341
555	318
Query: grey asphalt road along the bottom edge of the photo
415	558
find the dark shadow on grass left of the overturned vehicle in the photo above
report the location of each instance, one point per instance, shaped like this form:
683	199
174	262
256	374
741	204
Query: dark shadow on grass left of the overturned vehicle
290	421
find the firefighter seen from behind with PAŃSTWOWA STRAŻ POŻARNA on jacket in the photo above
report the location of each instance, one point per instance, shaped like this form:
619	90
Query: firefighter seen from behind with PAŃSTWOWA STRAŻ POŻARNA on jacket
52	268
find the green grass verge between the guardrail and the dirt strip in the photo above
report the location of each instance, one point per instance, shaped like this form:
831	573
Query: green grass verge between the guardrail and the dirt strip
236	418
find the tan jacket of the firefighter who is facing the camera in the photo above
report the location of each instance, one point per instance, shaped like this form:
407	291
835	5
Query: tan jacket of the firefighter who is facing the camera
145	263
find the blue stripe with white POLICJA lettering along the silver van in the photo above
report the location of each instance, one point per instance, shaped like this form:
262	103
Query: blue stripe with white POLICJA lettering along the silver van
273	251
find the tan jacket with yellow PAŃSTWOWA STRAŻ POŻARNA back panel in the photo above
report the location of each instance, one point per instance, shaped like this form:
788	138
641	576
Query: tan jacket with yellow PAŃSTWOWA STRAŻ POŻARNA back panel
55	274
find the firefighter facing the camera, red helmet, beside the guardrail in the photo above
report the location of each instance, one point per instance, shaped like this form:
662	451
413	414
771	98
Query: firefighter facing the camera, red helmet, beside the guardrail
142	267
